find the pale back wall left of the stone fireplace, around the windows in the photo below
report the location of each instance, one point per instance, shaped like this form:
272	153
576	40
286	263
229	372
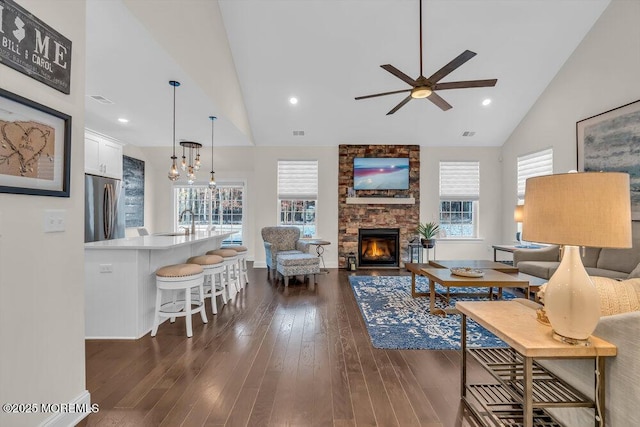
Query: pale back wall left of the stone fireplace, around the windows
257	167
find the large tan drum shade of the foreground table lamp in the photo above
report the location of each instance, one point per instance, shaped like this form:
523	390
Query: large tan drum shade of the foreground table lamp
580	209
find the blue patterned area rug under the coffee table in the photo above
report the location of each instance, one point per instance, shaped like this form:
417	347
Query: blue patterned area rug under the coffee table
395	320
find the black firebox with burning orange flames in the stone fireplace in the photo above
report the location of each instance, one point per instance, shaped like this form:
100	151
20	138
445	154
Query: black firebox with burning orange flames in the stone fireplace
378	247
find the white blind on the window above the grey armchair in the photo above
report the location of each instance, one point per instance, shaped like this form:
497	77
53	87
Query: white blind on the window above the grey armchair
298	179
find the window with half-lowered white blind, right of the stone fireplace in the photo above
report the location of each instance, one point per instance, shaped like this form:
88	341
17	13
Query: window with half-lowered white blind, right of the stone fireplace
459	197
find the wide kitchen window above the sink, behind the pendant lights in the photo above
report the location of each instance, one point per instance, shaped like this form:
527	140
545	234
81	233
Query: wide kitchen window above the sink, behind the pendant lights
224	210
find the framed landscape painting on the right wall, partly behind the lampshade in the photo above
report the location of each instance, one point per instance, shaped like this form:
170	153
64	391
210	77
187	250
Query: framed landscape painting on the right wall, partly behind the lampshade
611	142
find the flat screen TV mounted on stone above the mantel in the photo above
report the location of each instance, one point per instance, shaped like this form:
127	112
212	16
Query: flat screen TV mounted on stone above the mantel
380	173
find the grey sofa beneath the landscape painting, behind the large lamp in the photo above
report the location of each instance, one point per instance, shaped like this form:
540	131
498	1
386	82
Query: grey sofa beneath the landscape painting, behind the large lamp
605	262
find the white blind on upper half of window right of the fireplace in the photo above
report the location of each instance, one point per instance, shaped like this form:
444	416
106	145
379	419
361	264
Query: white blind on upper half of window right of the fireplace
460	180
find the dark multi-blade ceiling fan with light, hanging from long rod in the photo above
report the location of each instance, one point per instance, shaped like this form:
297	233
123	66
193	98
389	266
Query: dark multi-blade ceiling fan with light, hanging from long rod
423	87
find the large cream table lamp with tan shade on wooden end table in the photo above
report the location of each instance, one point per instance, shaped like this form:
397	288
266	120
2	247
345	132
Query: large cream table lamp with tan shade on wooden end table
576	209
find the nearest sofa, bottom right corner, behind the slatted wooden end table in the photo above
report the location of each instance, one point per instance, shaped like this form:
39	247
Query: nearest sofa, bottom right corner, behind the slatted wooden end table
620	325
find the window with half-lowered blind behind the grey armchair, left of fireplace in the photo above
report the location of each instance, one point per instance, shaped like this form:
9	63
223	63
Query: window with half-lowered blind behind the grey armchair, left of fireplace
298	194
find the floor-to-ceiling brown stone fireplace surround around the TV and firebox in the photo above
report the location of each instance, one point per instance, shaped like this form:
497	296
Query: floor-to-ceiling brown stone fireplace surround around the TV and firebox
377	209
